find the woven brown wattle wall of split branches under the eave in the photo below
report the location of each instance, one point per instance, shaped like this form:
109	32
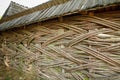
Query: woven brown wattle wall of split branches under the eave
80	48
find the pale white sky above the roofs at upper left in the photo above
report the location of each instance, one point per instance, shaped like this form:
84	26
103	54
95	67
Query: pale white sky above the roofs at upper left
29	3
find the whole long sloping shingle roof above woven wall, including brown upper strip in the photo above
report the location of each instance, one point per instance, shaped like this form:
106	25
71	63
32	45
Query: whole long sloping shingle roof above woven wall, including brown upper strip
52	9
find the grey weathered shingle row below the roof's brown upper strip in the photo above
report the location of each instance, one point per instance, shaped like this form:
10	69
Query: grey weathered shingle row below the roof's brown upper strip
55	11
